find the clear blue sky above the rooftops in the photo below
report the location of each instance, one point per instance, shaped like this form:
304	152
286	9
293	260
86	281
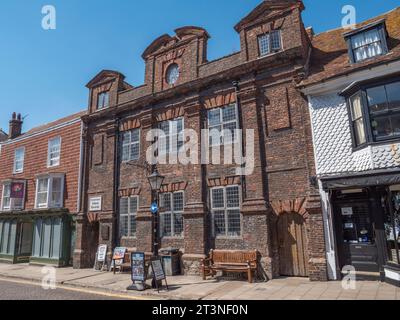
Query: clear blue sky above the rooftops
43	73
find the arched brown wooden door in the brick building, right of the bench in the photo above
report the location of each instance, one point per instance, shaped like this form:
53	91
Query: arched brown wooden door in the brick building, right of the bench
293	253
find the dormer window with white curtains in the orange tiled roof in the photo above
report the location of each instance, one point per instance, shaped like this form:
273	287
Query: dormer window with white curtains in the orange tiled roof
367	43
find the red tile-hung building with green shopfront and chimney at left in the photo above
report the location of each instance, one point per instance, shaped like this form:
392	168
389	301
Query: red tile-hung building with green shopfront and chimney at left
39	182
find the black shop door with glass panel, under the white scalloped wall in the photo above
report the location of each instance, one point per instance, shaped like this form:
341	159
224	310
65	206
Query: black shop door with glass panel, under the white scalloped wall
356	236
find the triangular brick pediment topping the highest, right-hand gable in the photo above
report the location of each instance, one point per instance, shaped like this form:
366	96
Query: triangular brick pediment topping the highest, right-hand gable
267	5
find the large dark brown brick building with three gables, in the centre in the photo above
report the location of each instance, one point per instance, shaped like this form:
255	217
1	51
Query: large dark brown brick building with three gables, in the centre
275	209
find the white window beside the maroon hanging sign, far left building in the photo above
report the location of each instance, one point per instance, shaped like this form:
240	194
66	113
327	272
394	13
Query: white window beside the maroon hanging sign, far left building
13	196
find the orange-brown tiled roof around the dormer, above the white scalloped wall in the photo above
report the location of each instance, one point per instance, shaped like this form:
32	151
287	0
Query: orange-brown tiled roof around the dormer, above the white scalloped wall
330	53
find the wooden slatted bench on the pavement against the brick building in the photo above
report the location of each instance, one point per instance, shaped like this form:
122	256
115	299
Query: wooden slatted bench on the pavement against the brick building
230	261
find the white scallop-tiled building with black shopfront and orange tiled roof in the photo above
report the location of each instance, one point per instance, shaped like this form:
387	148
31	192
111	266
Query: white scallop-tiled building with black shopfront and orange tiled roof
355	110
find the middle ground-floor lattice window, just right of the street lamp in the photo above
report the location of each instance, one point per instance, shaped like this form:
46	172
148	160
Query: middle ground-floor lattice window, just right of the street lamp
172	206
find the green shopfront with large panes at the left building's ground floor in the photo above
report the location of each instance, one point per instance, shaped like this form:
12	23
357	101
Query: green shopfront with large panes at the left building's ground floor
36	237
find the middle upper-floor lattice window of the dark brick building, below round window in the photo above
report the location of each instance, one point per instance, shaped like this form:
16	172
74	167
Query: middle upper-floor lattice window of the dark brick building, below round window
172	140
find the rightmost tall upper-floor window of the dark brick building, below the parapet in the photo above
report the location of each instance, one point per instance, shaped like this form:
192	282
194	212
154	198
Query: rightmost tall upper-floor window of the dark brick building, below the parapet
222	125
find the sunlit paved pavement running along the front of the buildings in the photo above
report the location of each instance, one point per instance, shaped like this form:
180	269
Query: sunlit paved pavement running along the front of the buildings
189	287
